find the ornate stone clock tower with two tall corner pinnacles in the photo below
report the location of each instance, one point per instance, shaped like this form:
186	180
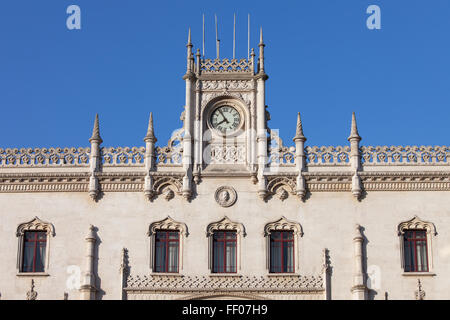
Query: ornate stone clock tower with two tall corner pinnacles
225	118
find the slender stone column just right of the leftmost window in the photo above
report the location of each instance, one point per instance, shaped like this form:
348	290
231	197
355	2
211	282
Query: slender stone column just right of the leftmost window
87	289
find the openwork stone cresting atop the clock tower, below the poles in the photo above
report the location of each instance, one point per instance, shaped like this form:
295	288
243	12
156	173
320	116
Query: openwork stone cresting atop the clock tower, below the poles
226	66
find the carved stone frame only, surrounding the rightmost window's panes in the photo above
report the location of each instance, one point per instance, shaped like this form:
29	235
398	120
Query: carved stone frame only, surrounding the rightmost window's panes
417	224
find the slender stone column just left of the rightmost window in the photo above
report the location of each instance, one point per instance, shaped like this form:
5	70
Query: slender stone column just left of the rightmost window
359	289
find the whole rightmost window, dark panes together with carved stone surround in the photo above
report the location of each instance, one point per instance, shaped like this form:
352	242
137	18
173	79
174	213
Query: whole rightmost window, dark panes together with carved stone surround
415	245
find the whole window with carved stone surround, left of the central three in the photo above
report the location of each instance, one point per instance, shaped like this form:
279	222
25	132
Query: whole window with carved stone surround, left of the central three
166	245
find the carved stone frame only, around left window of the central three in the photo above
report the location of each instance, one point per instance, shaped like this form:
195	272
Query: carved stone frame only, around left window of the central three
167	224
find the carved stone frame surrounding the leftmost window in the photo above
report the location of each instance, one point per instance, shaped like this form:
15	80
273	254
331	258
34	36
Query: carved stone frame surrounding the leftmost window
33	225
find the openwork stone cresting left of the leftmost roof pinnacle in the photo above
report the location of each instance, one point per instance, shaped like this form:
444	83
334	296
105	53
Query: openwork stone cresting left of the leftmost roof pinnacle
44	157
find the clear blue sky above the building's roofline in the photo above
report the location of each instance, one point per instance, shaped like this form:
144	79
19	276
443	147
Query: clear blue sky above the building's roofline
129	58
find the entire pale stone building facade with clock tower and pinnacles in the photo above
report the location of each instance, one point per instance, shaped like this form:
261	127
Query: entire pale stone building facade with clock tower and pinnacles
225	210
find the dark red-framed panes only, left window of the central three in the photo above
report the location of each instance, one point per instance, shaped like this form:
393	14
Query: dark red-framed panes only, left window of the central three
167	246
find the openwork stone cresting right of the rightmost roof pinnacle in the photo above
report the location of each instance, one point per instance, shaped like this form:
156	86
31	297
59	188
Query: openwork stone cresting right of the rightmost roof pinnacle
405	155
